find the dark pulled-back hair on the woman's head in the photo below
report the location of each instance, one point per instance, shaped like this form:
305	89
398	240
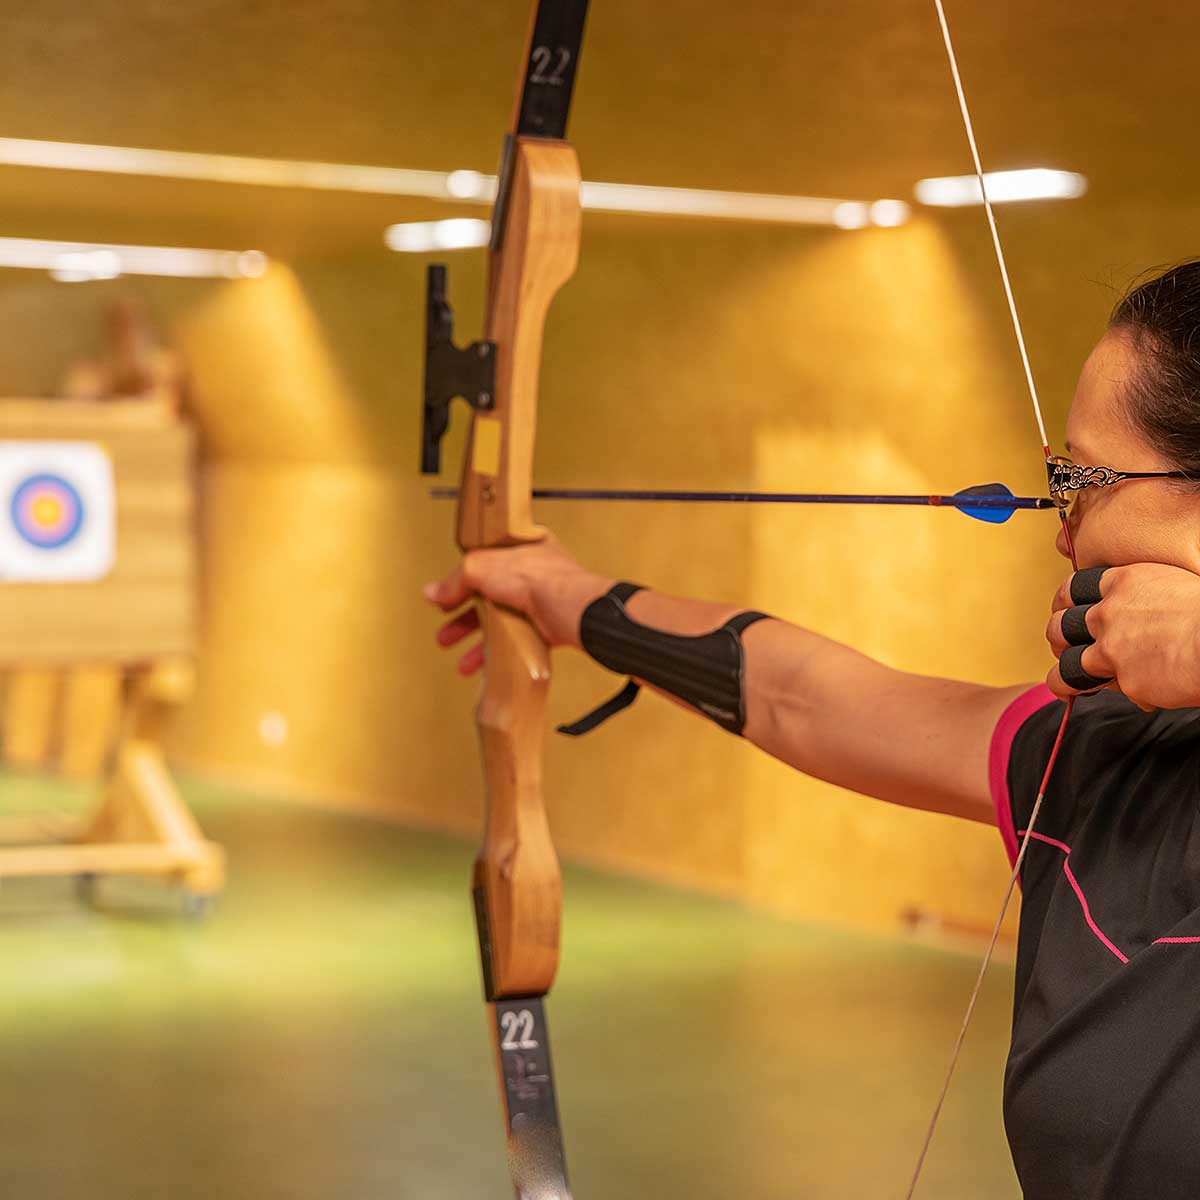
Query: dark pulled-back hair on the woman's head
1162	315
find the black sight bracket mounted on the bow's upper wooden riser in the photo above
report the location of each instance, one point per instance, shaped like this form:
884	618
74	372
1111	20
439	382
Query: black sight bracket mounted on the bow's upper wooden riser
451	371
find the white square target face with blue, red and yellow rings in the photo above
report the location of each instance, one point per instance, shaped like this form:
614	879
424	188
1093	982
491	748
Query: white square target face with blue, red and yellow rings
58	514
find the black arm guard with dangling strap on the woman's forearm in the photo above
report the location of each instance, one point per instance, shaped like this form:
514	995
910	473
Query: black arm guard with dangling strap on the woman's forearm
705	673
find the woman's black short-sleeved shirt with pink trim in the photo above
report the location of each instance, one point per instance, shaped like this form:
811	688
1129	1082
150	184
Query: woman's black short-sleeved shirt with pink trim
1102	1091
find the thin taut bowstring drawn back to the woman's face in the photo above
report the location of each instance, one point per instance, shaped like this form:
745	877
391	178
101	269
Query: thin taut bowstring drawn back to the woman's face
1063	727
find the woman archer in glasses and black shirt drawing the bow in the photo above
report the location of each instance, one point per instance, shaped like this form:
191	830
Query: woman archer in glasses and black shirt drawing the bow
1103	1081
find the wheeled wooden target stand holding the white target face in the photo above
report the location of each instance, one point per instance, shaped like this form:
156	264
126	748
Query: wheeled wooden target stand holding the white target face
93	669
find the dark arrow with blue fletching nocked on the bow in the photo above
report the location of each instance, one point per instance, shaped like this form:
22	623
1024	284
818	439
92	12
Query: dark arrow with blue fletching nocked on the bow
993	503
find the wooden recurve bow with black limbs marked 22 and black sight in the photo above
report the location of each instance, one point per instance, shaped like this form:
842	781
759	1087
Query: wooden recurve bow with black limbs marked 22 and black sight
517	884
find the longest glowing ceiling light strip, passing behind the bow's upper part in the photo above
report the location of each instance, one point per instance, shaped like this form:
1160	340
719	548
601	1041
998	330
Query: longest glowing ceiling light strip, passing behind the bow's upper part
463	187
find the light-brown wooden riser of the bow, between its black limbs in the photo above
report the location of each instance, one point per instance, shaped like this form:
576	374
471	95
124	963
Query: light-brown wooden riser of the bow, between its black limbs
518	881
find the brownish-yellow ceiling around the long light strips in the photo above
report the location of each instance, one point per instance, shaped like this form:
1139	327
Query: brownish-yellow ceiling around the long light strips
841	99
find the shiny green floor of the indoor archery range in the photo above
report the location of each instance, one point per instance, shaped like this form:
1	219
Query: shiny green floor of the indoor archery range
322	1037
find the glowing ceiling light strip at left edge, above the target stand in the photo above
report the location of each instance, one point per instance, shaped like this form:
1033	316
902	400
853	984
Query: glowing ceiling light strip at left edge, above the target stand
74	262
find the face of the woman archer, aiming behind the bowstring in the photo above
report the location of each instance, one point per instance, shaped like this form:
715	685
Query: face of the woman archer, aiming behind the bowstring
1137	520
